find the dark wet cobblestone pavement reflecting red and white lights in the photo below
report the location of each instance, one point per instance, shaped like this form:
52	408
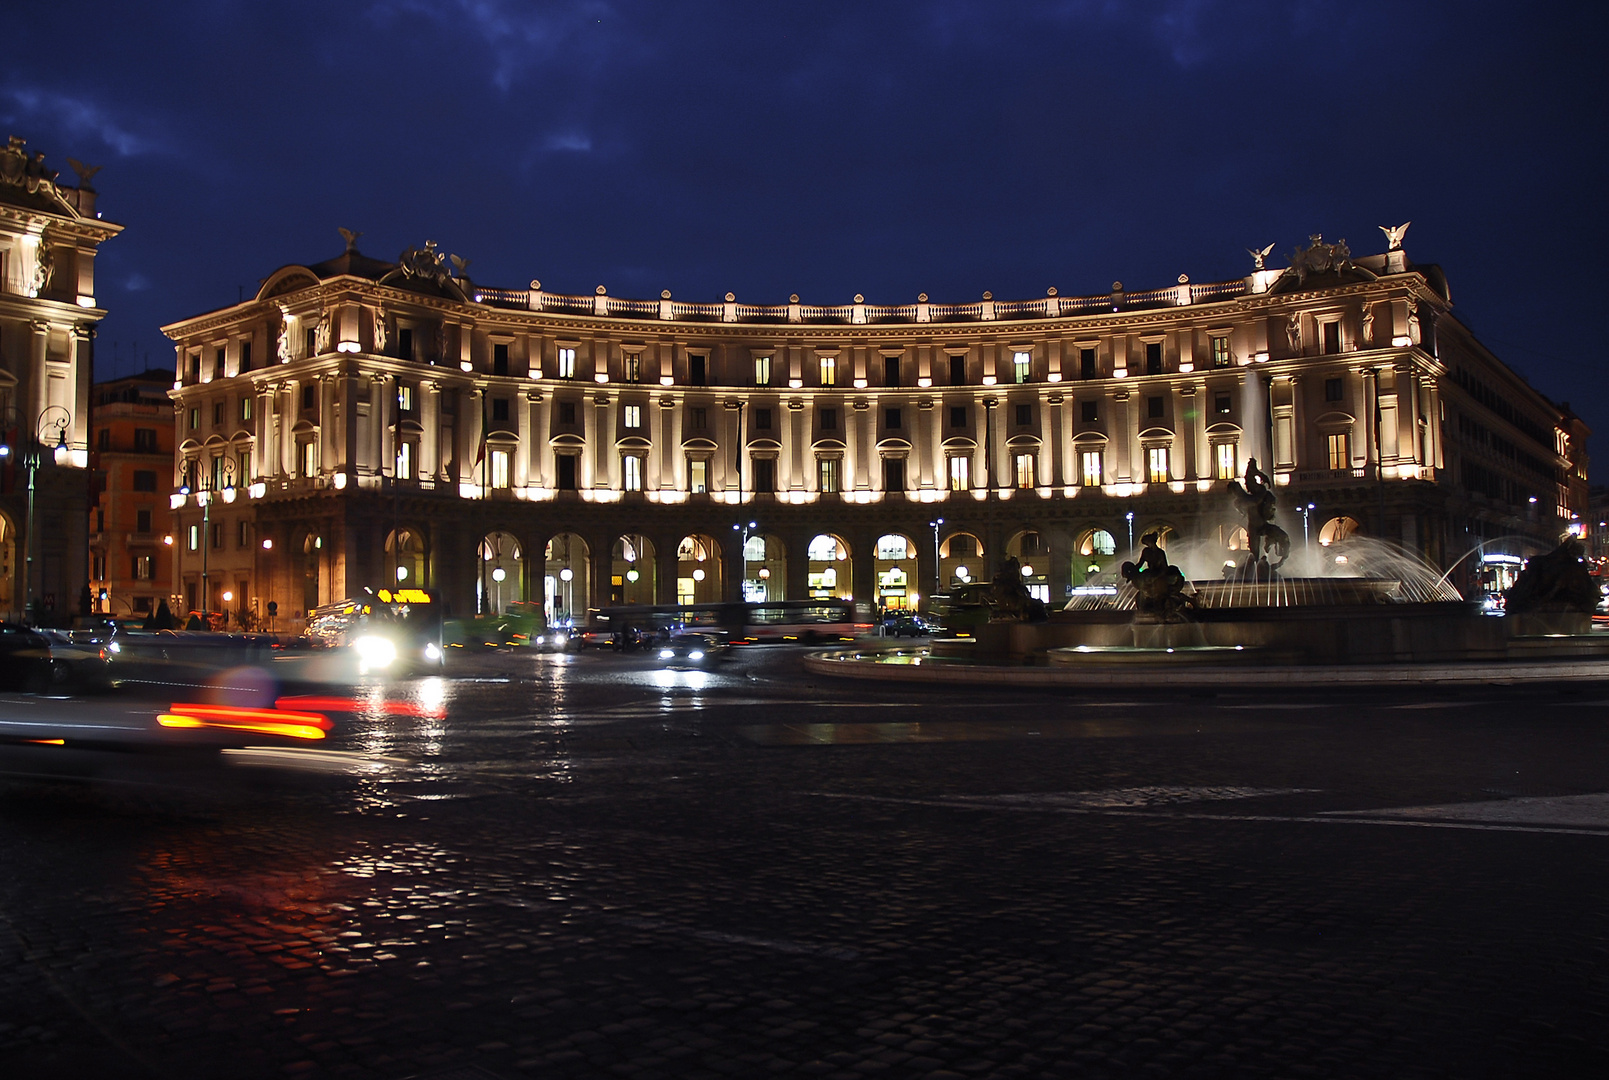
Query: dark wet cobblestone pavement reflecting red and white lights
591	868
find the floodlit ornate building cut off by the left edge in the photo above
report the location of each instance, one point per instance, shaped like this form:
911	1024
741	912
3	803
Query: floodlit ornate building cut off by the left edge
49	237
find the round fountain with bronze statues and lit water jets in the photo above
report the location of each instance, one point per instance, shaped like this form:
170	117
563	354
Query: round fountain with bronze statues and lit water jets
1360	609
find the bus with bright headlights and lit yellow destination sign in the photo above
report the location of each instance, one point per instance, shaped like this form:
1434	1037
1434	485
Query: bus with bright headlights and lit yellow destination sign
392	630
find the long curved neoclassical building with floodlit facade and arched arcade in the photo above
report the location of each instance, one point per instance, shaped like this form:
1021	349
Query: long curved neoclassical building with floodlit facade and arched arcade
361	423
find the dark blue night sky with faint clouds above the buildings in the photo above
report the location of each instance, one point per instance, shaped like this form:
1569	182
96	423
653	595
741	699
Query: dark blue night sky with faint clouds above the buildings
836	149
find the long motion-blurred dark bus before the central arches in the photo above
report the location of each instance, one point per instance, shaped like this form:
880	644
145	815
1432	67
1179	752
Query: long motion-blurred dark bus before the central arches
628	627
